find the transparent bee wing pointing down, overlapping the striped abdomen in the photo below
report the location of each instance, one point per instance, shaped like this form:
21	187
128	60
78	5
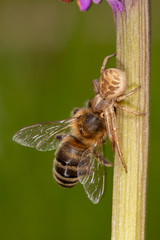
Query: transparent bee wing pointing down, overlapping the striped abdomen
91	174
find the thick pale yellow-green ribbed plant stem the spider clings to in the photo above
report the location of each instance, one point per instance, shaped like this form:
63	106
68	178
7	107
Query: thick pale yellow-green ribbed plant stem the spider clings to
133	56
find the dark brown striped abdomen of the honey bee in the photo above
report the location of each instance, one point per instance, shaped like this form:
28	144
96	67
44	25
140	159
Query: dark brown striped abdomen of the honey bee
66	162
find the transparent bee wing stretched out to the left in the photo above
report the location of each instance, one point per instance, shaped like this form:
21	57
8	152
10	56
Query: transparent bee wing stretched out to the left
42	135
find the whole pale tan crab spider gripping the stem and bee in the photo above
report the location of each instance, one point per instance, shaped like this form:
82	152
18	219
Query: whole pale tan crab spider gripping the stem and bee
110	90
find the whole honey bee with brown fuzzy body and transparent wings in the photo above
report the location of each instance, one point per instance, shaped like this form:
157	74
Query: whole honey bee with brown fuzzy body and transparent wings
79	156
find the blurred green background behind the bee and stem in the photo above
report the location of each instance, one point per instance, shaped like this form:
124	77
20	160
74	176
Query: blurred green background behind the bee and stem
49	54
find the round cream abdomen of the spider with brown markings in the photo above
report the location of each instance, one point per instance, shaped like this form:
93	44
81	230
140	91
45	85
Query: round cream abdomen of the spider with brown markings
113	83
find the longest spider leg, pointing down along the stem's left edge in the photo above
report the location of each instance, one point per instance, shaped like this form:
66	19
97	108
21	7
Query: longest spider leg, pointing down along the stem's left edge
116	139
